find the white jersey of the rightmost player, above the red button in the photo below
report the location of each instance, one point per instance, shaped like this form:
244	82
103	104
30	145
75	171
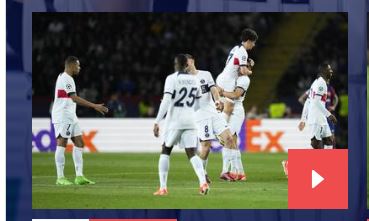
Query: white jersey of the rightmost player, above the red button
315	114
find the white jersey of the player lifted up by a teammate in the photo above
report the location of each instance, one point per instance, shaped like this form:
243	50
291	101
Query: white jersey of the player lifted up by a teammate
236	58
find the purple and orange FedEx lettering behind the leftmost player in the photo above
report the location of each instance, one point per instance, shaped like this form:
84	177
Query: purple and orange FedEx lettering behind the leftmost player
44	140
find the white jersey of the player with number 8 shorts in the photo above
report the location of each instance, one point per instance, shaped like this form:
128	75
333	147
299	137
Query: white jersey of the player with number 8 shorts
206	103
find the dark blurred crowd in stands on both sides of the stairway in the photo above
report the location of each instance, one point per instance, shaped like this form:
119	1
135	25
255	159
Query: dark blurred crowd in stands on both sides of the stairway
125	57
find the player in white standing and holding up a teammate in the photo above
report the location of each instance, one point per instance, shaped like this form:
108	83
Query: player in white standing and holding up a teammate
237	118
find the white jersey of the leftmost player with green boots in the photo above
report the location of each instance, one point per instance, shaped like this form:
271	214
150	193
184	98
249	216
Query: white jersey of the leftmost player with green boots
64	108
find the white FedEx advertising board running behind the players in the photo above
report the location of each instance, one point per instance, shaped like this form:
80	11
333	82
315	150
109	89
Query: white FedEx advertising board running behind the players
135	135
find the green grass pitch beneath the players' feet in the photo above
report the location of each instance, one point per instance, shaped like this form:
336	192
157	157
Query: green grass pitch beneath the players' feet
127	180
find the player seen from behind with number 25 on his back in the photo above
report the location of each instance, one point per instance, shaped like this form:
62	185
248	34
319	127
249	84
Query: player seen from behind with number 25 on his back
181	93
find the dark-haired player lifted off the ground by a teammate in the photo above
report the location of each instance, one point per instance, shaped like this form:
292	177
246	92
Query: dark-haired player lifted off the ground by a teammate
236	63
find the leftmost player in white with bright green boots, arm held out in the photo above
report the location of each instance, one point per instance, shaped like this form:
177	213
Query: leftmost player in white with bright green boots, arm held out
66	123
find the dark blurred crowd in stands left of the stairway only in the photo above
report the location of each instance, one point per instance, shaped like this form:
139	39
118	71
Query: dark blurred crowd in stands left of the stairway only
126	57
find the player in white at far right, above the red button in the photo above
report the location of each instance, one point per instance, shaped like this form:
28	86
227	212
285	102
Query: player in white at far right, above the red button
317	113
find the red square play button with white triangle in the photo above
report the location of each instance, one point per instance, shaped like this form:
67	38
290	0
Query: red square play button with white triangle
317	179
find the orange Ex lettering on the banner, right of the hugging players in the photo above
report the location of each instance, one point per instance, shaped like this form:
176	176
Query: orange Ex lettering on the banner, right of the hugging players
263	139
